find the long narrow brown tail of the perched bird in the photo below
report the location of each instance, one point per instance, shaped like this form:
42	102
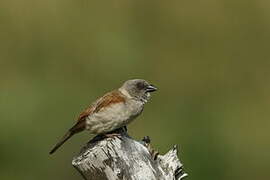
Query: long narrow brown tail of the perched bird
75	129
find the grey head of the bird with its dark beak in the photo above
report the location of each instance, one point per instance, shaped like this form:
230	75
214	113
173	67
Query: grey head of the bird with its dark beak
138	88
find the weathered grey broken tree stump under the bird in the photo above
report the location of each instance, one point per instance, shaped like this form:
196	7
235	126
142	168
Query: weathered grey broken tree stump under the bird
121	157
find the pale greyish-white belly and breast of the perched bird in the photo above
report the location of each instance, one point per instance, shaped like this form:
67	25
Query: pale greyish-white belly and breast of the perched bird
113	117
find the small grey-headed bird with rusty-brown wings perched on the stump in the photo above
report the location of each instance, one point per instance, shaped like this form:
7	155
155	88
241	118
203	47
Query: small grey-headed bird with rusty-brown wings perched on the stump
114	110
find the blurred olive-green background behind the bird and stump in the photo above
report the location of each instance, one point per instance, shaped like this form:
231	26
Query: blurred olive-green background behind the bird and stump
210	60
